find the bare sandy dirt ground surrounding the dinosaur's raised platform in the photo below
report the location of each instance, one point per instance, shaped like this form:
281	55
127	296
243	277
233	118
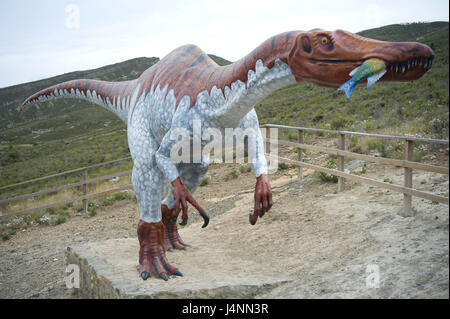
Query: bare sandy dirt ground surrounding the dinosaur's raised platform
317	241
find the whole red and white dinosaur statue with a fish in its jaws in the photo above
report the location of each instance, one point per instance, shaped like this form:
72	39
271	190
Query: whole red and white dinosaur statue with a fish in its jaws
187	85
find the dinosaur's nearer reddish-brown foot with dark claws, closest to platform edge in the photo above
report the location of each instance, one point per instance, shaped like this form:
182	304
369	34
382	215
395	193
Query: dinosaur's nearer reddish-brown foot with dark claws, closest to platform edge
152	256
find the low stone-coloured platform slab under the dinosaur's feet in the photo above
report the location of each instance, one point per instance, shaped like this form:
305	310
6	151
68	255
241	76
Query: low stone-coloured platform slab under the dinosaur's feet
109	269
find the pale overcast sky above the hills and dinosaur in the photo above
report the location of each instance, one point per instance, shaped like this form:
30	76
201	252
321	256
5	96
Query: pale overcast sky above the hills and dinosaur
44	38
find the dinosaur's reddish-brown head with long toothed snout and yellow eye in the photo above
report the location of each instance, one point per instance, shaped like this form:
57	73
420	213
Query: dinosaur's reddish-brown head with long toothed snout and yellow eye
326	58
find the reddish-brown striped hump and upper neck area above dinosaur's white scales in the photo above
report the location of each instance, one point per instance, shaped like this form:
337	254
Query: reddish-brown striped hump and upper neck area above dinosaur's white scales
207	74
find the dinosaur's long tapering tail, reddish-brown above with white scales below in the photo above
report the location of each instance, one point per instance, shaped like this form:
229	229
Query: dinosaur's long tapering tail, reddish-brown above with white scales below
117	97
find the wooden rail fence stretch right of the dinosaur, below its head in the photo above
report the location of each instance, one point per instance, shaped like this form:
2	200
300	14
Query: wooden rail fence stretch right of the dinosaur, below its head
407	163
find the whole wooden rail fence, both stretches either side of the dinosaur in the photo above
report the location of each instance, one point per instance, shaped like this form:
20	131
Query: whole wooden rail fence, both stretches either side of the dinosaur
407	189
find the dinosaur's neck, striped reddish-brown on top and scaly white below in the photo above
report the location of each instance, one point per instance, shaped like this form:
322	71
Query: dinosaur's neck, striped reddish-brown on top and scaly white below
249	80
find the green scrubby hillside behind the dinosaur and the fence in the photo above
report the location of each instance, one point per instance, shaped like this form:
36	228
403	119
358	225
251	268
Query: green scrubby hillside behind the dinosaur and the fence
64	134
